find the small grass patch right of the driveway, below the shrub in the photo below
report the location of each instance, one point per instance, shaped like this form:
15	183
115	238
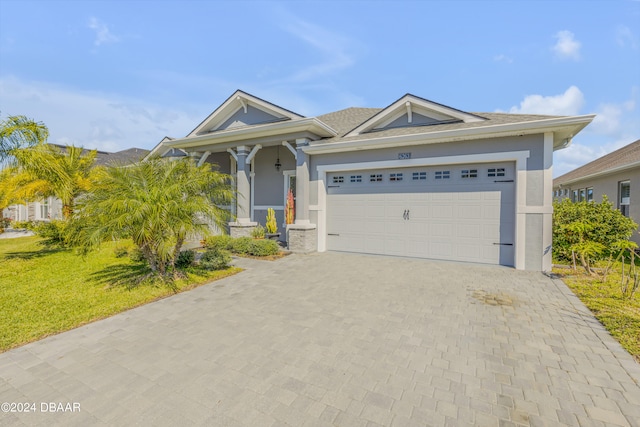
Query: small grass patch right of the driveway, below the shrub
620	316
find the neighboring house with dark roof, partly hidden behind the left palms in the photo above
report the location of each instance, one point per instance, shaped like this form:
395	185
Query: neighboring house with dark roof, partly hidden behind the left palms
51	207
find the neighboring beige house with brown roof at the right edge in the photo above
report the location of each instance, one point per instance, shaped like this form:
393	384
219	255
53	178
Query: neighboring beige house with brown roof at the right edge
616	175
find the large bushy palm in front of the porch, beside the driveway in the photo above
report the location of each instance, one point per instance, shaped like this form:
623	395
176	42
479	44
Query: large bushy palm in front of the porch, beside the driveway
157	203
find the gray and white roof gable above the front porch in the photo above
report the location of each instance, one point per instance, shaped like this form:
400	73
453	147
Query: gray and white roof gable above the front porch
242	109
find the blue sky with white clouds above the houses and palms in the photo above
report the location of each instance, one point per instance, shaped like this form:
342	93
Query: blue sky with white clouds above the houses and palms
118	74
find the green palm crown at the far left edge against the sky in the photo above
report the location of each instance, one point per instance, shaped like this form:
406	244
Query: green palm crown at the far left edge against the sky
20	132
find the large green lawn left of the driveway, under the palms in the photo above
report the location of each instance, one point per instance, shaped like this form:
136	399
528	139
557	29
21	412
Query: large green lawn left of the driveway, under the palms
46	291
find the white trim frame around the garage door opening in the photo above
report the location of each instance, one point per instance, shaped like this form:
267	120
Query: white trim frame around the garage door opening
519	157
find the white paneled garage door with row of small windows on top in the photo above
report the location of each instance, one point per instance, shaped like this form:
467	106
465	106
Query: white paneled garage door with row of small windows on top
463	213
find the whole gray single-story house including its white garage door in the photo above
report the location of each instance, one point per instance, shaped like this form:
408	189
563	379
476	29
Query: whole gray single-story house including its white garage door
415	178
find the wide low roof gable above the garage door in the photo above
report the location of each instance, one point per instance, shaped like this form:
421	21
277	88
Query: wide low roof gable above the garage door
411	111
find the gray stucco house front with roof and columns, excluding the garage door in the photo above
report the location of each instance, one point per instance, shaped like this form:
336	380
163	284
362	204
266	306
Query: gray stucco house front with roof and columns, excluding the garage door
252	134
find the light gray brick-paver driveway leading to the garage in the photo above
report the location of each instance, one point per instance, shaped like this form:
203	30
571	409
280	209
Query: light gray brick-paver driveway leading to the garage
334	339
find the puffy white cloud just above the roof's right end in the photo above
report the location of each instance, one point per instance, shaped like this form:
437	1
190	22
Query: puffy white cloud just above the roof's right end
568	103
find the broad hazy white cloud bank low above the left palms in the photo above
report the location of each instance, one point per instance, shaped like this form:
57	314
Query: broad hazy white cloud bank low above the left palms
104	121
